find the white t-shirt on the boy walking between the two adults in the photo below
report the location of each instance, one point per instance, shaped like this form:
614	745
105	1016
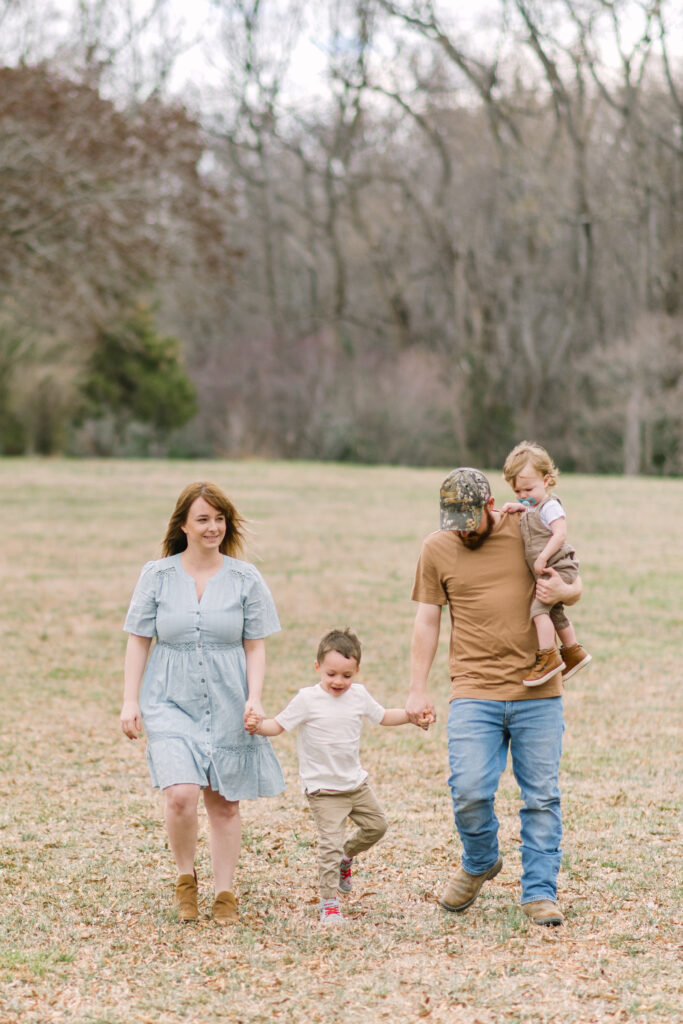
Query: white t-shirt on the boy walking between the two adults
329	736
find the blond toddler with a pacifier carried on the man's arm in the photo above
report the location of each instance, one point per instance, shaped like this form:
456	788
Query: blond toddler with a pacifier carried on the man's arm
532	475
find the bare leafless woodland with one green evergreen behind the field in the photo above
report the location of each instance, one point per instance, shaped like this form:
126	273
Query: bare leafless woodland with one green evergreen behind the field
471	231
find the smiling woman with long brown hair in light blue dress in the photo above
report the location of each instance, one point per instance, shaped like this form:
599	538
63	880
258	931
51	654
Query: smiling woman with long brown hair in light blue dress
210	614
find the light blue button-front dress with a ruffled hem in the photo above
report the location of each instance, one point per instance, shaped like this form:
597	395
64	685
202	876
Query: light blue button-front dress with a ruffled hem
195	687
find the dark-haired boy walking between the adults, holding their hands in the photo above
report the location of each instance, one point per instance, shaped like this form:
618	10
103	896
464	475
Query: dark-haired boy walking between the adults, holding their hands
329	718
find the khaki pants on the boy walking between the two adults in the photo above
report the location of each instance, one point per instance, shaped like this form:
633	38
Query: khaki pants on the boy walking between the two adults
330	812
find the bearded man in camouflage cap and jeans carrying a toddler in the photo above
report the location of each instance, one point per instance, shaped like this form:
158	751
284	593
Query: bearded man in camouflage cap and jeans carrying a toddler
476	565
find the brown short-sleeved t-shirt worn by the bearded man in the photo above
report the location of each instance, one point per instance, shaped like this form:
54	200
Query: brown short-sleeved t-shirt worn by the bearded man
489	592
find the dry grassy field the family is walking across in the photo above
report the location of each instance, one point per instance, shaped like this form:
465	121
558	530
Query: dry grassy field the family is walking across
88	932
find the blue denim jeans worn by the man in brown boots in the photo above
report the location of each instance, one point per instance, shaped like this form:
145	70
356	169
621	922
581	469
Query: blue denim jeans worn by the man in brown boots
480	734
